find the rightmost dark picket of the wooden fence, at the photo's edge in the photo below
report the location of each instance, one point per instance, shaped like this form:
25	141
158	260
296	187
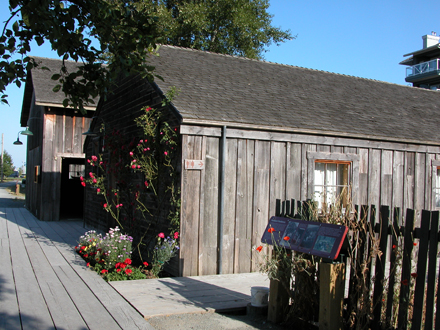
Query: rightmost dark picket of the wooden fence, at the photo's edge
430	290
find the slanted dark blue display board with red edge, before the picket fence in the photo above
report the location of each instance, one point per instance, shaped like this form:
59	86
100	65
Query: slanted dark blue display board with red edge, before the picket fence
320	239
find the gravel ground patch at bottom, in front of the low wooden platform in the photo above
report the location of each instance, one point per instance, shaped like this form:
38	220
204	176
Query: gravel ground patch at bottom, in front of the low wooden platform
213	321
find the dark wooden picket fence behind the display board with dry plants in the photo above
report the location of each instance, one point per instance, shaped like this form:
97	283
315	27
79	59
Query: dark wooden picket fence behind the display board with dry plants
402	281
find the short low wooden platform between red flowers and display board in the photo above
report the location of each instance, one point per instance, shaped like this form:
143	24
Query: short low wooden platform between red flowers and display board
194	294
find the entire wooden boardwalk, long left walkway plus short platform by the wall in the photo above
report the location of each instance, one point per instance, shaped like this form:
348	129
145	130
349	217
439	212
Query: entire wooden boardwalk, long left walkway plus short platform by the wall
45	285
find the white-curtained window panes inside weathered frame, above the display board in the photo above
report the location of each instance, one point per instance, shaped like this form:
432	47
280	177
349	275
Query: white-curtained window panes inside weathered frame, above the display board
331	183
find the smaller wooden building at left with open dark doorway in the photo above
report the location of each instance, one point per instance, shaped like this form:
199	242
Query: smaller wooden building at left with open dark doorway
55	158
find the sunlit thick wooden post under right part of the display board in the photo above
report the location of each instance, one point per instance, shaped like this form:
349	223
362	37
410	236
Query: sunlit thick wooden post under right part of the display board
331	297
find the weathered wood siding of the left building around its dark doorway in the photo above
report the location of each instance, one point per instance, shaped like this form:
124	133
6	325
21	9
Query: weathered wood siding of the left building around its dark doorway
57	134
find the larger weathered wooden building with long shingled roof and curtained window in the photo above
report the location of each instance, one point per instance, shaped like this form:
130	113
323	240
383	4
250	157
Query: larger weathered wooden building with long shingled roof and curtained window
266	131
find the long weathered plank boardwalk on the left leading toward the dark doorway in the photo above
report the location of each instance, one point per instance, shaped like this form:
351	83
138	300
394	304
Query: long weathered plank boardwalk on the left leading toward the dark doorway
45	285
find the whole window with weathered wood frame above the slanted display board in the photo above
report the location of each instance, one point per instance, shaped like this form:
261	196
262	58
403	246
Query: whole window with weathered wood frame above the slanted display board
333	177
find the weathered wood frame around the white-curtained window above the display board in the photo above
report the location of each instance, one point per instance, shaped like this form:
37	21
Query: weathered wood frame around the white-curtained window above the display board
333	157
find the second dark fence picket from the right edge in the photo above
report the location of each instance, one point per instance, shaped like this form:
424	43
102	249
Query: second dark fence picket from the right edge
419	290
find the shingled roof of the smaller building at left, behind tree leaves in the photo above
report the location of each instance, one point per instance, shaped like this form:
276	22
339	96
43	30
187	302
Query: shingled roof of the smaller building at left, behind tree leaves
39	81
